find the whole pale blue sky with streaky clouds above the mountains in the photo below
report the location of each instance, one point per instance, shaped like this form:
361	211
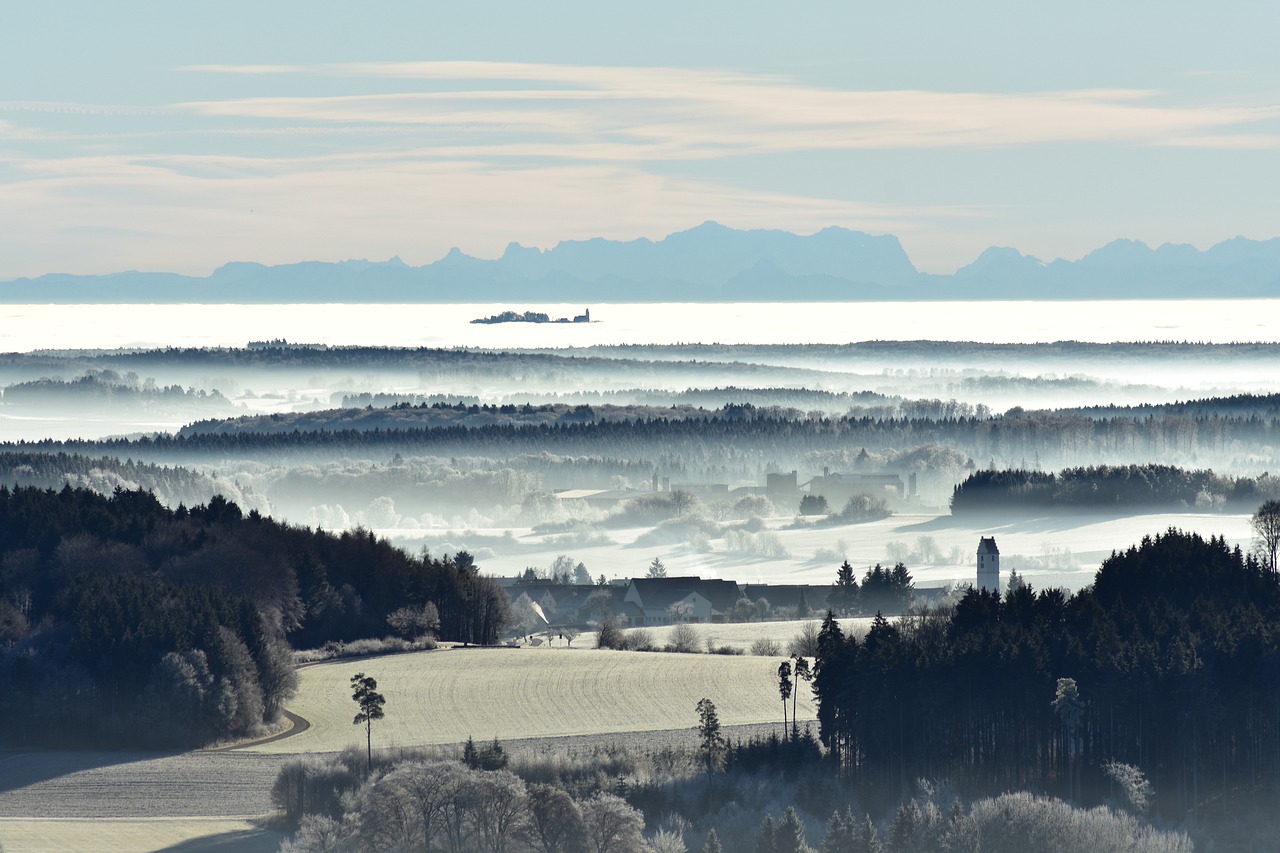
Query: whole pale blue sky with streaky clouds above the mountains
182	136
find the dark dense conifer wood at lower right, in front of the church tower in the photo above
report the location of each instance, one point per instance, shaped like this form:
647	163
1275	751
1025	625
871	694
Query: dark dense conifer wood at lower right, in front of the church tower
1169	663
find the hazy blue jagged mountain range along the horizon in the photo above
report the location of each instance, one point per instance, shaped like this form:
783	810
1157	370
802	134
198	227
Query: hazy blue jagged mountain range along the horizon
706	264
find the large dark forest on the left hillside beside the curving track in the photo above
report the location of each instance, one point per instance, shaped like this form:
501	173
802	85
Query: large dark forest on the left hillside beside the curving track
117	609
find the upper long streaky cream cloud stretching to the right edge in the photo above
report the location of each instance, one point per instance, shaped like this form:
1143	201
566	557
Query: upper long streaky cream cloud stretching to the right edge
674	113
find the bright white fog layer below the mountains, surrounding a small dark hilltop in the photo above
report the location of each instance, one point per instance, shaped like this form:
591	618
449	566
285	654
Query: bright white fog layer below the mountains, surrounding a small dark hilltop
25	329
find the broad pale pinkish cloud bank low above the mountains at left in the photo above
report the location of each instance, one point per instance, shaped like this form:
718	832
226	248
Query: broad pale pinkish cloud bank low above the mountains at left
199	212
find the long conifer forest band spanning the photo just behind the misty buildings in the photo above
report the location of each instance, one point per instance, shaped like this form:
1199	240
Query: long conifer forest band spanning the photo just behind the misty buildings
743	428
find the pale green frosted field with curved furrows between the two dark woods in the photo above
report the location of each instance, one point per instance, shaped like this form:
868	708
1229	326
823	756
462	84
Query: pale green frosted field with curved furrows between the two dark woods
449	696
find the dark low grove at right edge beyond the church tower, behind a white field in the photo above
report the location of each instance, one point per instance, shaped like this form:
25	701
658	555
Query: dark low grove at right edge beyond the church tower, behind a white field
1107	487
